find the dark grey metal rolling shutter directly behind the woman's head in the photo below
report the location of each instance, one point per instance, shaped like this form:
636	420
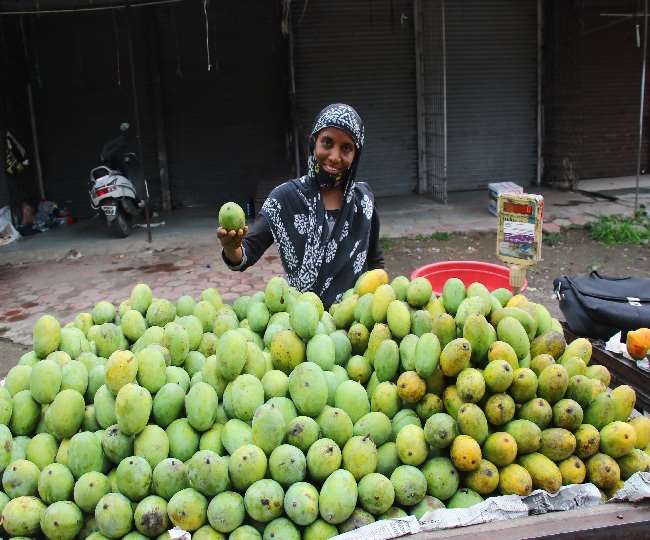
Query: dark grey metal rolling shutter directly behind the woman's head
362	53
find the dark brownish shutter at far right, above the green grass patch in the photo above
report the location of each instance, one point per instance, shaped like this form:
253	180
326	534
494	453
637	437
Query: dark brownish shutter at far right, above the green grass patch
592	91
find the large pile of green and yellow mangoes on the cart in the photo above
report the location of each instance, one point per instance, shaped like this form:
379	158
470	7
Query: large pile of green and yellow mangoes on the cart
274	418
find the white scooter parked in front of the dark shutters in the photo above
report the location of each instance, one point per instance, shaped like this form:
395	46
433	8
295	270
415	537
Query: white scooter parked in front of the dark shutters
111	191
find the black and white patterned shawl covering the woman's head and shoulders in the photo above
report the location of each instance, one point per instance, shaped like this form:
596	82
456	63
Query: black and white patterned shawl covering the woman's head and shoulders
313	259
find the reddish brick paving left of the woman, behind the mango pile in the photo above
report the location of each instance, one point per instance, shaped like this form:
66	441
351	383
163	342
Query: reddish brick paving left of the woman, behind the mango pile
66	288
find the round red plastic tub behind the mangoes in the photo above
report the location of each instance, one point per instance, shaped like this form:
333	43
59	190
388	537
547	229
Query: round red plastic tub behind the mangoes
493	276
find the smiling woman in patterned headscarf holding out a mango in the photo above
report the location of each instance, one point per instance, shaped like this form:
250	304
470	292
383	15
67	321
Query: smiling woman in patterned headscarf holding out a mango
325	223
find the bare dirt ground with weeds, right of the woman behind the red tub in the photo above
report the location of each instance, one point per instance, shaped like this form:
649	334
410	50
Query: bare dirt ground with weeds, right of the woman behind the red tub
573	252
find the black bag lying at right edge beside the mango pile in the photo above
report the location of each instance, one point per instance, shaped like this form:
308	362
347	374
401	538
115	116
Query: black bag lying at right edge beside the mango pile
598	306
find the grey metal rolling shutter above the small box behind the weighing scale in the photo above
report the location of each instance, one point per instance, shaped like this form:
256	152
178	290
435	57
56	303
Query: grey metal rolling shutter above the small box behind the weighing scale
491	92
